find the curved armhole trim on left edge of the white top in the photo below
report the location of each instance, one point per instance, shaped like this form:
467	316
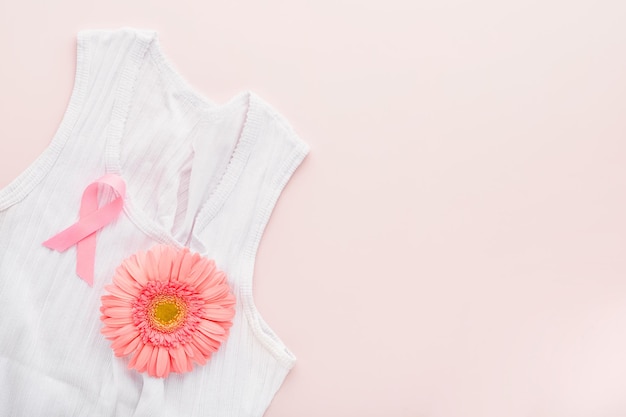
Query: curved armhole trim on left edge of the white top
28	179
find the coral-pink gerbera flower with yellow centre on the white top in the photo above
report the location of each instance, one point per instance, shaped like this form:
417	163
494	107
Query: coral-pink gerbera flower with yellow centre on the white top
167	308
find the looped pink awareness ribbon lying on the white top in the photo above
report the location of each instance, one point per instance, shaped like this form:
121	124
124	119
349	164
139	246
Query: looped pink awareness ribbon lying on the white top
91	219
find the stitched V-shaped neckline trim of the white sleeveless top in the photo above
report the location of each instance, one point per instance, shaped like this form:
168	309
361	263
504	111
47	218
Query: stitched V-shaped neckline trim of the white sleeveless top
251	125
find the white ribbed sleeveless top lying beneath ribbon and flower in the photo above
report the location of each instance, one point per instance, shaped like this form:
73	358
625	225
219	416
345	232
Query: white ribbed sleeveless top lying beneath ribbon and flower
198	174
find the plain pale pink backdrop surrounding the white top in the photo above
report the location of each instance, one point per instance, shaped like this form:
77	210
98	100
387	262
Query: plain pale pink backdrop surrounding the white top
454	245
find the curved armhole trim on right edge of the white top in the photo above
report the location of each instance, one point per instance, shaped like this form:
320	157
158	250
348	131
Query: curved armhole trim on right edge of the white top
261	329
